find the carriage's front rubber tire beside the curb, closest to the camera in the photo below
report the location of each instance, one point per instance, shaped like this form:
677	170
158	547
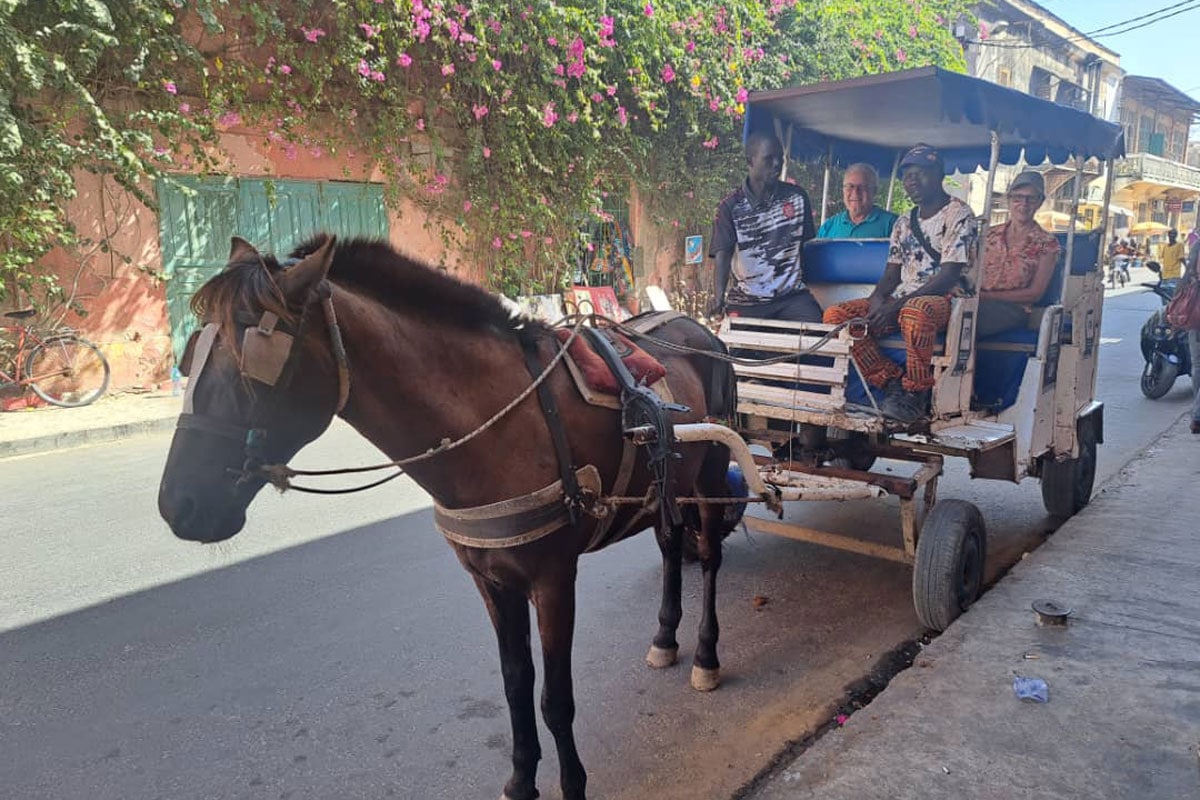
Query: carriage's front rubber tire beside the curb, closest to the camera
952	555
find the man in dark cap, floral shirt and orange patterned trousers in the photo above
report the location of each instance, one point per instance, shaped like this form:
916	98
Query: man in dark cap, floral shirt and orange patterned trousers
927	257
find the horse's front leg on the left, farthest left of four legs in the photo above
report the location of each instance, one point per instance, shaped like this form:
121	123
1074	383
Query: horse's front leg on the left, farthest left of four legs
511	617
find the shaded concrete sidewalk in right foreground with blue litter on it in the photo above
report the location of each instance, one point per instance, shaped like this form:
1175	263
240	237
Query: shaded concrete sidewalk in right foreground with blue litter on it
1124	712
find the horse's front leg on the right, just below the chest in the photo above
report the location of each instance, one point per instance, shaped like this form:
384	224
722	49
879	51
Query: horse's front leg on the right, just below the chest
555	603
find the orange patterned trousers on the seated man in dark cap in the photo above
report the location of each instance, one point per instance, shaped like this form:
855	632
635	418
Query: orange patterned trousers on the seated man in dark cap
921	321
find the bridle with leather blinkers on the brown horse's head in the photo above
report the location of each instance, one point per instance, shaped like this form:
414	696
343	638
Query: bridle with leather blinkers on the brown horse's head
268	357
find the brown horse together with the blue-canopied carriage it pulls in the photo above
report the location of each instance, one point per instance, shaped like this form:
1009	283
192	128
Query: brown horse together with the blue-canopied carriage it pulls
529	472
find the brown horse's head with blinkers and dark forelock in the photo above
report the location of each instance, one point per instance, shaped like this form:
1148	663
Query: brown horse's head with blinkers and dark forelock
265	381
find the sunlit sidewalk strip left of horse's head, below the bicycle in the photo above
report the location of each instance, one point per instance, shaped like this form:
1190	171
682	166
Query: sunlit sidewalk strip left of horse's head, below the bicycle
113	417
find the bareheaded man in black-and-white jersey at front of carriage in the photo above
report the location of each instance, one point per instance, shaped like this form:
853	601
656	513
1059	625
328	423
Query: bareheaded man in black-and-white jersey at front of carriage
758	239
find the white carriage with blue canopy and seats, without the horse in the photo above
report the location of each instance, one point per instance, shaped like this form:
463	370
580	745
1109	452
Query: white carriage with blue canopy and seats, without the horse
1016	405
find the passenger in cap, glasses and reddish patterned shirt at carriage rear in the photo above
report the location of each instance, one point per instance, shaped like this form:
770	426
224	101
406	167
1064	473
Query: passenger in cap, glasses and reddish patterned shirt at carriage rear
1018	262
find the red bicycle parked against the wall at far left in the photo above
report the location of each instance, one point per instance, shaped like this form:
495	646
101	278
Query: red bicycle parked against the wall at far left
59	366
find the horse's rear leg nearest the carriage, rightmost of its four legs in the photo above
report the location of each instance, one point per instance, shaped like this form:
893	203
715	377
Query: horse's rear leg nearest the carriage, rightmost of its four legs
706	671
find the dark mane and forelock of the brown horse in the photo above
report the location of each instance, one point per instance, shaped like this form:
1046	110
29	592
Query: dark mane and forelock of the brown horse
373	268
